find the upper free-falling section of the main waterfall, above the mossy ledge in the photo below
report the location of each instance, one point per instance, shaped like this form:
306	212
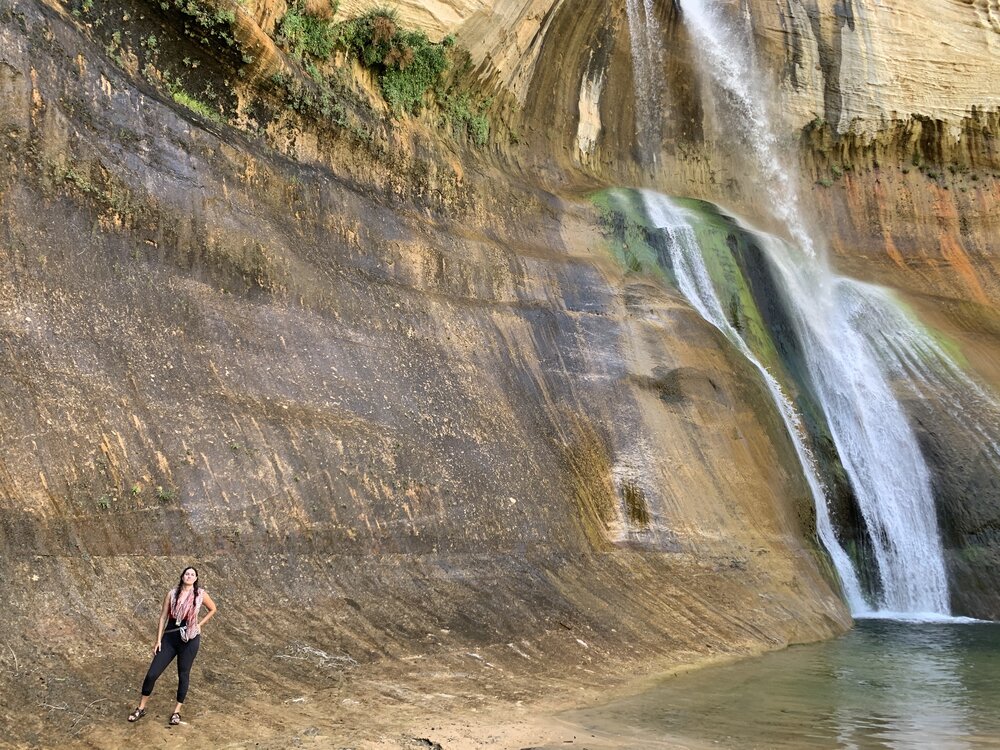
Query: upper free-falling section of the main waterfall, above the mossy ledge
726	57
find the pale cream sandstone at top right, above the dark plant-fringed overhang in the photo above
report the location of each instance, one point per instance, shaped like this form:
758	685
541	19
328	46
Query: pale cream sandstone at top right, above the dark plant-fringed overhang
862	63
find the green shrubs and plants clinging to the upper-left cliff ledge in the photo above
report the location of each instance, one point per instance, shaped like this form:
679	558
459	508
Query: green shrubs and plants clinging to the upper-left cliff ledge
204	68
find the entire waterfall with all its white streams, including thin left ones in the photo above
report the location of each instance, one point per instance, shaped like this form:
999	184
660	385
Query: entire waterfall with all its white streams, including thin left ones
855	341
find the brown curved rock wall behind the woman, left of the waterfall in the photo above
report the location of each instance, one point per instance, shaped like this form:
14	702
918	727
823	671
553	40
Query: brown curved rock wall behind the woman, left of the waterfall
393	402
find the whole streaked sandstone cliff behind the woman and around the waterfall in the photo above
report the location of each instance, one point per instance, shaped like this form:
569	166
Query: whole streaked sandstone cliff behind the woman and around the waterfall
388	388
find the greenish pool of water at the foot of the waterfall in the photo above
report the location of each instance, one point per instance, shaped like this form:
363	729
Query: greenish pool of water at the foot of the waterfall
883	685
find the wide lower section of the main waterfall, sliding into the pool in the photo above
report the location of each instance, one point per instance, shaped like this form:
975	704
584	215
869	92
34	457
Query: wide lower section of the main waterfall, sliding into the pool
835	320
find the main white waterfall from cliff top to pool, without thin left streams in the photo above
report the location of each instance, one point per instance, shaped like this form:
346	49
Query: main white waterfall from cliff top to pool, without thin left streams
848	366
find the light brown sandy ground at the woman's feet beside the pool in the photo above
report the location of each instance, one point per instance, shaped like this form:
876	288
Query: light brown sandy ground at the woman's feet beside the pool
431	709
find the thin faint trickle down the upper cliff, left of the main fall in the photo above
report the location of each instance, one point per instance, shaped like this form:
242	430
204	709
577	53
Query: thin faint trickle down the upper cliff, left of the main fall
647	64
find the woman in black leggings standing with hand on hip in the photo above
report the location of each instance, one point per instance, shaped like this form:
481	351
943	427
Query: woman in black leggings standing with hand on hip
180	637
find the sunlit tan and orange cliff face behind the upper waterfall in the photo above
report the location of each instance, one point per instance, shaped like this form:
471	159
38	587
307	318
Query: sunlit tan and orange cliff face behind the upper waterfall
893	139
